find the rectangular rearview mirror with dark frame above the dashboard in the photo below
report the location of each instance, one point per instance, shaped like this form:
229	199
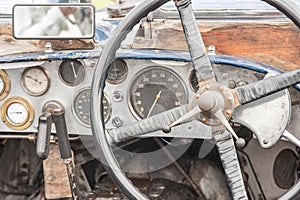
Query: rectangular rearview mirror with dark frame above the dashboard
59	21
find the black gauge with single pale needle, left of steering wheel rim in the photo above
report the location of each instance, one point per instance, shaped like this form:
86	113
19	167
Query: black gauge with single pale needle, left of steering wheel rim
71	72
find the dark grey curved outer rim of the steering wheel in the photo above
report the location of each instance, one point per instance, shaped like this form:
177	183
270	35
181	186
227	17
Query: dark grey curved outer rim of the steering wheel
108	54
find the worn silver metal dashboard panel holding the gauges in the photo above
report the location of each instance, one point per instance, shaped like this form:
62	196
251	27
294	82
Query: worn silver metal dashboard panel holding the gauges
126	95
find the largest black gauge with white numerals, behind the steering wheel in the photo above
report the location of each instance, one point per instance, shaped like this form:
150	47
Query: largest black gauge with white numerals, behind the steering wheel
156	90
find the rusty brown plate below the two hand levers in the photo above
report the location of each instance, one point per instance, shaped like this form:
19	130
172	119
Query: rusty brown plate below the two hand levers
56	176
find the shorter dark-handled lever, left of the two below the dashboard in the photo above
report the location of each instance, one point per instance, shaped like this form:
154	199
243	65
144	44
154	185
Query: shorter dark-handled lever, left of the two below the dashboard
43	136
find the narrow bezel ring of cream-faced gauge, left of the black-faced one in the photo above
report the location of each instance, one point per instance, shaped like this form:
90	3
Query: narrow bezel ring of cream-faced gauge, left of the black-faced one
25	87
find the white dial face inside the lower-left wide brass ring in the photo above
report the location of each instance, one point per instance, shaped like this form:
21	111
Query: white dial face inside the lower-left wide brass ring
17	113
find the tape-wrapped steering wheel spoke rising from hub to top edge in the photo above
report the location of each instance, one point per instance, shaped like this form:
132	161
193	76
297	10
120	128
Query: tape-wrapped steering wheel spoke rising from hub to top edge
198	53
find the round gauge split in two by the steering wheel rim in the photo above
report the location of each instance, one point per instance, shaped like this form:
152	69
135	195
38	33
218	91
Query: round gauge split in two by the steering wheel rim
81	107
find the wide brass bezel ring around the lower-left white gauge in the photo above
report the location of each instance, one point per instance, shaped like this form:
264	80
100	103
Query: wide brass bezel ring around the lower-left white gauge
30	113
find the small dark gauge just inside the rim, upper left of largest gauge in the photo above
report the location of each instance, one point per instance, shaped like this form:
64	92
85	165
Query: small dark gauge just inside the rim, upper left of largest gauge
117	72
